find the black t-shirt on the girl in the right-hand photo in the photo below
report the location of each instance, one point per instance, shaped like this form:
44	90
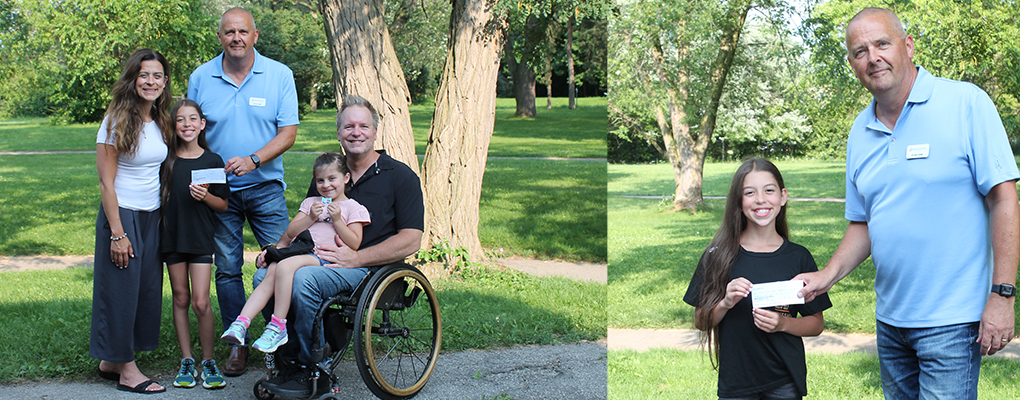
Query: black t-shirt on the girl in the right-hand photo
750	360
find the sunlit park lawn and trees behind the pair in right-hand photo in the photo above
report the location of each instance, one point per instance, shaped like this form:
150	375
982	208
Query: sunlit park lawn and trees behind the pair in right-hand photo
697	86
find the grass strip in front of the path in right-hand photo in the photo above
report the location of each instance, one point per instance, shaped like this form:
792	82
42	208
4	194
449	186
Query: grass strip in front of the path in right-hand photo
657	375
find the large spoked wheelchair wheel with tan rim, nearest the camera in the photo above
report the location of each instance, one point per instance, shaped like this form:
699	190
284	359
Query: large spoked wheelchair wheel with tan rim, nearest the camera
398	331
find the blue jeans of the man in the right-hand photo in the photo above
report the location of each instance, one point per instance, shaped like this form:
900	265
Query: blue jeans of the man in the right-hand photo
941	363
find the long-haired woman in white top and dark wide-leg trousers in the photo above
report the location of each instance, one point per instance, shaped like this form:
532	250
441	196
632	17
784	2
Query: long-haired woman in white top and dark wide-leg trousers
131	145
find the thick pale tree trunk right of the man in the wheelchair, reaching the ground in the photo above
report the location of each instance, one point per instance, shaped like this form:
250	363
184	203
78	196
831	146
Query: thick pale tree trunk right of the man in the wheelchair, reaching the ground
463	126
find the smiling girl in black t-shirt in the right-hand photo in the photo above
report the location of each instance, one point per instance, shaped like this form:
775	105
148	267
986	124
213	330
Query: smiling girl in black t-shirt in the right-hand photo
758	353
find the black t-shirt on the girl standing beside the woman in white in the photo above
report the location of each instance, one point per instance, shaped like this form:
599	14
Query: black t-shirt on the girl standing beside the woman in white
187	226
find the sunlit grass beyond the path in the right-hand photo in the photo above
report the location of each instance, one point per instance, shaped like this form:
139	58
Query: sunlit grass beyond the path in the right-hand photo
653	254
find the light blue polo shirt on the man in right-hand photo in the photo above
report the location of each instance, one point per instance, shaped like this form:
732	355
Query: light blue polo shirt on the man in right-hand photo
922	190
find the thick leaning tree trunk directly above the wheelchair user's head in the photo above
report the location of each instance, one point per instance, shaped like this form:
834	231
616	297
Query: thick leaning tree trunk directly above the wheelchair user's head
365	64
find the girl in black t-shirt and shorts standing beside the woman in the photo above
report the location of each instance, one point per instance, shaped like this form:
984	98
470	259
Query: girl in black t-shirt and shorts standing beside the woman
187	239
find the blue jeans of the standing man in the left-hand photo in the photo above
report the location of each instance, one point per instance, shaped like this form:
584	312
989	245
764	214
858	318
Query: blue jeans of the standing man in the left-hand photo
266	210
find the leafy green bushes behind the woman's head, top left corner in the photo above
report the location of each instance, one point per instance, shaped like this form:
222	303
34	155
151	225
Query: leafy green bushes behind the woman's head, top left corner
74	52
